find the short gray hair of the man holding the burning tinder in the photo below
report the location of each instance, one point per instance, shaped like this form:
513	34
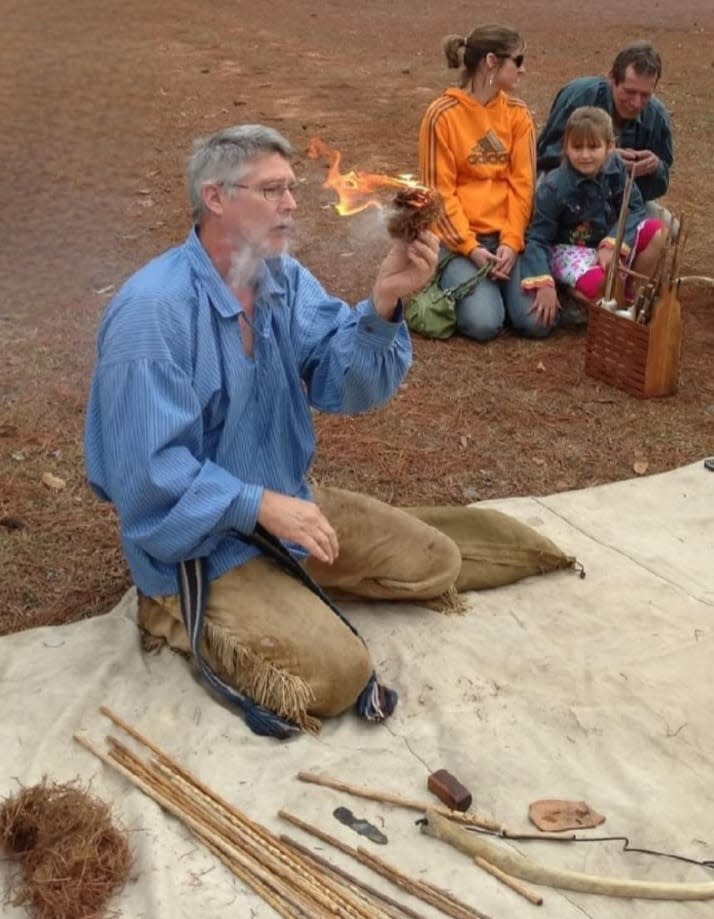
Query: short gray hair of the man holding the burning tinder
223	157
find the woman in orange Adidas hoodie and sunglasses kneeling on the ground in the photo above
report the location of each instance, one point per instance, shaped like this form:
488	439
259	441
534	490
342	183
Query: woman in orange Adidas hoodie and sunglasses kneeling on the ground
477	148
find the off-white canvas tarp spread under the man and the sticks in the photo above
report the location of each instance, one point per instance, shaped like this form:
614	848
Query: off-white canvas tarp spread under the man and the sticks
598	689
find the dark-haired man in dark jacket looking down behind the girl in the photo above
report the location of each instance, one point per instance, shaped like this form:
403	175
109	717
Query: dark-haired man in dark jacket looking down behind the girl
642	125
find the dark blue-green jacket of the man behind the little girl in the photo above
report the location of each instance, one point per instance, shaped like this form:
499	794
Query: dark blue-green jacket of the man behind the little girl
651	130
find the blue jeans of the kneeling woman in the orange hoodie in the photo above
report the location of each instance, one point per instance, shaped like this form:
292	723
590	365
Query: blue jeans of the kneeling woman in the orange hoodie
483	313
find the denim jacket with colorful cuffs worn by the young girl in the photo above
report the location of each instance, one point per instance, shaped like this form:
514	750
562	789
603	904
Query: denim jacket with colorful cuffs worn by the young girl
573	209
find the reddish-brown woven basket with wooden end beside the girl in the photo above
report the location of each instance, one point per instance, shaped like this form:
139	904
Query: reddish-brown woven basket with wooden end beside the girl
642	360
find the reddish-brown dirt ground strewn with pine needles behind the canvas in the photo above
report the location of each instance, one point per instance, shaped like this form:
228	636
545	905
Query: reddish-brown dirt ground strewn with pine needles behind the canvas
100	104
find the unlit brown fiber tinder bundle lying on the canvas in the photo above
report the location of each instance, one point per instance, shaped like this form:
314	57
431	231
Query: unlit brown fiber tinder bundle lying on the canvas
69	858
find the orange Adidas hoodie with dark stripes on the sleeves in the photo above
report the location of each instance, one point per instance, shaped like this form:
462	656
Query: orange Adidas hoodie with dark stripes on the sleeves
482	161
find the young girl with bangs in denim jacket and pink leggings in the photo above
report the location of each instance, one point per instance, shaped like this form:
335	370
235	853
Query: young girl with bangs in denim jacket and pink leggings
577	207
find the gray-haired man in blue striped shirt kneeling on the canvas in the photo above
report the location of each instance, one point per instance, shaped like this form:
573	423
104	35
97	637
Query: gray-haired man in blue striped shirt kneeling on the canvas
199	429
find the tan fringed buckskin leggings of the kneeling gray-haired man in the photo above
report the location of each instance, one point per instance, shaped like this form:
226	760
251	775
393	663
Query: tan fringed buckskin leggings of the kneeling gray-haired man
274	640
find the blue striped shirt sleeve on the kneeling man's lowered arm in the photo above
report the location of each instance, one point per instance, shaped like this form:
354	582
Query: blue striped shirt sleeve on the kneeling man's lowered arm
167	498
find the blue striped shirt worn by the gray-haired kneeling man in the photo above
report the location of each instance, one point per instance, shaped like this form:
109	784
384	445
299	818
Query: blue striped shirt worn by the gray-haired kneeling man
184	430
